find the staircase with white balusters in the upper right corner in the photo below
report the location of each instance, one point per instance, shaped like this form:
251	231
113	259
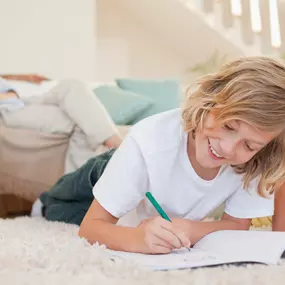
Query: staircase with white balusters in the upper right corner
256	27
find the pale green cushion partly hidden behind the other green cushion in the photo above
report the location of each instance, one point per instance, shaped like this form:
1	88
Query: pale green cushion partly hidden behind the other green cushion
164	93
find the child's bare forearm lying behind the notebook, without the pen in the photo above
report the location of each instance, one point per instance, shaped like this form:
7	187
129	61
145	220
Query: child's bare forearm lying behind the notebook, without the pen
197	229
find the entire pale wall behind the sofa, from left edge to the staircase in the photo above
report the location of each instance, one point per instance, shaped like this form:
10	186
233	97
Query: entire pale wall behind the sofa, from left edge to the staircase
102	39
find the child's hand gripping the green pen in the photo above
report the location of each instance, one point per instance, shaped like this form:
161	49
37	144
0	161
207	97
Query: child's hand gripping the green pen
161	236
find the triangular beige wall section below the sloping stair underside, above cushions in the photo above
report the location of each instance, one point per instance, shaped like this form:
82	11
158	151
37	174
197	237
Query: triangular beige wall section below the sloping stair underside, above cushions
126	48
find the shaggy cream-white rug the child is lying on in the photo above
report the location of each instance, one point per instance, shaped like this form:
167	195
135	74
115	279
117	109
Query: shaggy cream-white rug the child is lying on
36	252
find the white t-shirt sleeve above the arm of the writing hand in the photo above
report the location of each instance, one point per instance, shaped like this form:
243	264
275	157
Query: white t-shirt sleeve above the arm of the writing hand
124	182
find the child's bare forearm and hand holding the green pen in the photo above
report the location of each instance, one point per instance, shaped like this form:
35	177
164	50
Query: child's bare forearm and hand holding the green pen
156	236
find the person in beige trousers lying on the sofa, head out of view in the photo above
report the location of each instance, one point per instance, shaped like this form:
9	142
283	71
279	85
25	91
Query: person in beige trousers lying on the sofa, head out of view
70	107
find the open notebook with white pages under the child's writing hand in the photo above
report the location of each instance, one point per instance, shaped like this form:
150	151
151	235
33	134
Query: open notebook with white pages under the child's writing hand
219	248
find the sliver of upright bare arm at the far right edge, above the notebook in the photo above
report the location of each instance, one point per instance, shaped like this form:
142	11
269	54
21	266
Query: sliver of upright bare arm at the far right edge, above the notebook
278	220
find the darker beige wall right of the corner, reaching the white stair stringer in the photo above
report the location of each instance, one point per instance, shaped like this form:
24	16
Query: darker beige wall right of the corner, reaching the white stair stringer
155	39
